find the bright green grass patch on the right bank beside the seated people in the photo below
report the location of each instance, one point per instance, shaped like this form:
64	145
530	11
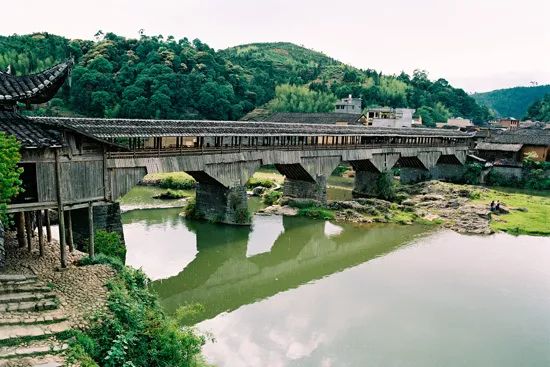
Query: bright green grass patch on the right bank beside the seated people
534	221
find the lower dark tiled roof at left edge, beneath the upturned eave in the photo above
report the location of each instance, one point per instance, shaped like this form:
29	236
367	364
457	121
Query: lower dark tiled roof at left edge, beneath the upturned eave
29	133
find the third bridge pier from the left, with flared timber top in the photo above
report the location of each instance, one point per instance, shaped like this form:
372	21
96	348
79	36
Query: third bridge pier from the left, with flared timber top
368	172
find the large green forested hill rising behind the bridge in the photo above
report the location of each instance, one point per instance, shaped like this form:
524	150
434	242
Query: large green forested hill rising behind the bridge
156	77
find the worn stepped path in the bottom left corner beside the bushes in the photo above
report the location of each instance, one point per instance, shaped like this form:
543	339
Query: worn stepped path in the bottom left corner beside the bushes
29	322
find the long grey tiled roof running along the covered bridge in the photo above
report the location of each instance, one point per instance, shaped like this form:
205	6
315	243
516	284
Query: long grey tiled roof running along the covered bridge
135	128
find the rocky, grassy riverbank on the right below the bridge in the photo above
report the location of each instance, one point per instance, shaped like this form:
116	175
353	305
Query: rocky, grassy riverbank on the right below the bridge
462	208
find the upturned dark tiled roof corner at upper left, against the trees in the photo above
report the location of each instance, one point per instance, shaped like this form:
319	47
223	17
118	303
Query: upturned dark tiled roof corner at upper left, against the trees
35	88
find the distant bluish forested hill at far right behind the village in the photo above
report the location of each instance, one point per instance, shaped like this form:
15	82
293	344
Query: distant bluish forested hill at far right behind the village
512	102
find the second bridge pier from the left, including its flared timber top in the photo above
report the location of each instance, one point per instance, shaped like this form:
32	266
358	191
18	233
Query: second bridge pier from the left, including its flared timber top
308	178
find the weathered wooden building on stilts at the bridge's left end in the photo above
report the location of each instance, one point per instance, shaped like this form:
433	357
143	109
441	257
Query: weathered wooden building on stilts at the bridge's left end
63	169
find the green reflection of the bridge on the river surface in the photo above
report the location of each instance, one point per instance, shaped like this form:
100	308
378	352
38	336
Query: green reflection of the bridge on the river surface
234	266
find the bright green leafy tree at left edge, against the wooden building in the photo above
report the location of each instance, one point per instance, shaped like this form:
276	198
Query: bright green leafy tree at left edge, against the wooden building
9	172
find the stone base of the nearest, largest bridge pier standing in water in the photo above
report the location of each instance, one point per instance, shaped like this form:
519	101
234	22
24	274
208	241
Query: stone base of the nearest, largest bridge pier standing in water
218	203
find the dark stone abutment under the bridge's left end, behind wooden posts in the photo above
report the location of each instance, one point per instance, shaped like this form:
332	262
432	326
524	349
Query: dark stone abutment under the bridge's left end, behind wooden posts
106	217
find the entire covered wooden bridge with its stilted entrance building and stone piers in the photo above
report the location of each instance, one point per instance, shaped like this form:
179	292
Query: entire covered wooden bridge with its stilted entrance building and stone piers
79	165
